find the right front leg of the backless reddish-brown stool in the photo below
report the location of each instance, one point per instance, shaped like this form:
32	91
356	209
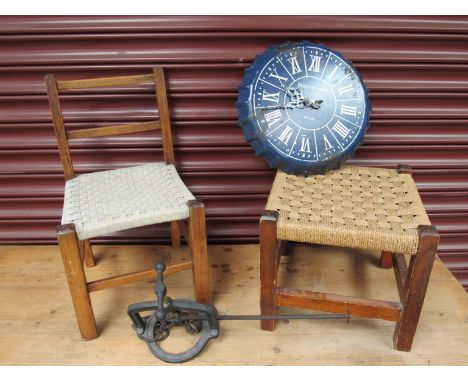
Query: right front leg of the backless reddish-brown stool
416	286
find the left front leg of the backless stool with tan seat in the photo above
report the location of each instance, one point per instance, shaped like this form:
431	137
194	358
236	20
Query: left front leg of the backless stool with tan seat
268	245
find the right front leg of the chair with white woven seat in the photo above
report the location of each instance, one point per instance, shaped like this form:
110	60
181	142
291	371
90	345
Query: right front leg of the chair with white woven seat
198	247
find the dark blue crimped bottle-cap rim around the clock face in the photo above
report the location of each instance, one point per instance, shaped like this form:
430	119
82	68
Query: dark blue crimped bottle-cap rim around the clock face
256	138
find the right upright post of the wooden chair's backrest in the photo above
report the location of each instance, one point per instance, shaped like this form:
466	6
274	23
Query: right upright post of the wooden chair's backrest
163	107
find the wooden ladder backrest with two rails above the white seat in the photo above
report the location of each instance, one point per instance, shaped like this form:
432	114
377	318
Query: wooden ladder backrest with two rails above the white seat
157	78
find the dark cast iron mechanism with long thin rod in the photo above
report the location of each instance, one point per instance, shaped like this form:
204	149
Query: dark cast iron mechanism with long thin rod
195	317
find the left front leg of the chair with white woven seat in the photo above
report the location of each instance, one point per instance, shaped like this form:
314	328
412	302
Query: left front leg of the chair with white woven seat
69	247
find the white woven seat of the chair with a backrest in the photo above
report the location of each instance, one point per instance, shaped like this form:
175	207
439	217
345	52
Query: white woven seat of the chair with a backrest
103	202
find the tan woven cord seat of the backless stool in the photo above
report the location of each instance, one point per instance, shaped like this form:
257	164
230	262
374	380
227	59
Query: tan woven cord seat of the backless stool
360	207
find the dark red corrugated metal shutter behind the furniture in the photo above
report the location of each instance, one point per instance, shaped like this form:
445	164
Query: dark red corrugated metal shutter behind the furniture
416	69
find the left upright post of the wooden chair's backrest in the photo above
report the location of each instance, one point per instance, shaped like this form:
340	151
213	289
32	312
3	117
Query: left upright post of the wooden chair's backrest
59	126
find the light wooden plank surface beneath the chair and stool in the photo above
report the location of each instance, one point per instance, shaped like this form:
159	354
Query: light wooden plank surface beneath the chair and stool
37	324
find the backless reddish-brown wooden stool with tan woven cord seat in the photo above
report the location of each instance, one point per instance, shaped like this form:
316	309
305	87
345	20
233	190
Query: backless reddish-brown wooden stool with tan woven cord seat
359	207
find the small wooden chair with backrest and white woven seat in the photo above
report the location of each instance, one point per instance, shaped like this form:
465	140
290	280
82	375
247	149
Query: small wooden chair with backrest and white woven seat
103	202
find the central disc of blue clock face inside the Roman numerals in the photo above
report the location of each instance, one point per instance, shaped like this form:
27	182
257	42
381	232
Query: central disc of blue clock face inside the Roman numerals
314	103
